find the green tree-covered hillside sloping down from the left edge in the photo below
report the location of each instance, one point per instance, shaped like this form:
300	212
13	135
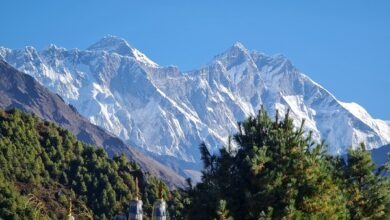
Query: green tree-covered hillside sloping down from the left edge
44	166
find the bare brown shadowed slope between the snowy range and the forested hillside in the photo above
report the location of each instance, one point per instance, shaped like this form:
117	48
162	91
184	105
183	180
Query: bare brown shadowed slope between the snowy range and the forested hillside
18	90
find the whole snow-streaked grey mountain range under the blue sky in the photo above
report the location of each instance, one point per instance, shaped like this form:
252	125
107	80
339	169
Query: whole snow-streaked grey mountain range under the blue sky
169	112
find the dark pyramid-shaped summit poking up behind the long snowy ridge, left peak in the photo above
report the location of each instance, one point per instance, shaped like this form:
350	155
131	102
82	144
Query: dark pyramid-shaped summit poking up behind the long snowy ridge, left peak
111	43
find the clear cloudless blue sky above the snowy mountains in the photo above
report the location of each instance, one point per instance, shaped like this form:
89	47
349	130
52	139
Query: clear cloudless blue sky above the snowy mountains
343	45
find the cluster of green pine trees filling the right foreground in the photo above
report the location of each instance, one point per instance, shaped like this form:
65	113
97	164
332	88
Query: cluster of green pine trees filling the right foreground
278	172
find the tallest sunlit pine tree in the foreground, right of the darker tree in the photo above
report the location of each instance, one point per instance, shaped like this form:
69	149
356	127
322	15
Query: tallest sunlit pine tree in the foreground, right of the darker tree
285	170
